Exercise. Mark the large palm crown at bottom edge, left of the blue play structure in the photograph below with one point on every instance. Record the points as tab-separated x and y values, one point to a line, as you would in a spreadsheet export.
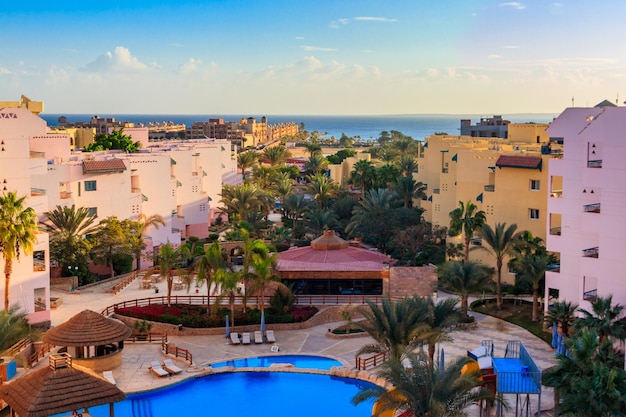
424	390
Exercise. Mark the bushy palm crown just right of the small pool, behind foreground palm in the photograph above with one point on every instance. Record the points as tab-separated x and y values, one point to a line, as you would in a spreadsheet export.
394	326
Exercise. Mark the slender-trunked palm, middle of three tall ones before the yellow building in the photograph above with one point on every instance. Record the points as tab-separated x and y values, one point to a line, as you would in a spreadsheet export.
499	242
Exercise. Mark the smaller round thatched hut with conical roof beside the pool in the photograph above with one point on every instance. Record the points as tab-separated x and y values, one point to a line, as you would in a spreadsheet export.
86	329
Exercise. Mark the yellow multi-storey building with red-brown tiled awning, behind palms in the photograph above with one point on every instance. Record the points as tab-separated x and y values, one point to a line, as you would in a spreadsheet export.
506	178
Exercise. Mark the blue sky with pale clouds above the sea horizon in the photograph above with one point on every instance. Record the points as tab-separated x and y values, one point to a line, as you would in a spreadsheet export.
305	57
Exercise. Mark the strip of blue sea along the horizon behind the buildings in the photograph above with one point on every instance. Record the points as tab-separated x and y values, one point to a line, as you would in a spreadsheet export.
366	128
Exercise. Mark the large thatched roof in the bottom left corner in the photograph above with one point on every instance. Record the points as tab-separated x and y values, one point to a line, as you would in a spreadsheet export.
58	388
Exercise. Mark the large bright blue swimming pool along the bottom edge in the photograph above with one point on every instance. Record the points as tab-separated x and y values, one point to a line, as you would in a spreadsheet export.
257	394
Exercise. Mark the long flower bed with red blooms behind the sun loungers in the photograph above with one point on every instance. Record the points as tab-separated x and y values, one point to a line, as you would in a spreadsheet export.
194	316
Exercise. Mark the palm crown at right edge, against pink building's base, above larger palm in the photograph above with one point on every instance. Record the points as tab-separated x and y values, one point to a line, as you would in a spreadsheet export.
606	319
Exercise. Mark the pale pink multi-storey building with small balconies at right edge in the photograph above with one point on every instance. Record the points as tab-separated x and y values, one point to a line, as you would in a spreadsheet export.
586	224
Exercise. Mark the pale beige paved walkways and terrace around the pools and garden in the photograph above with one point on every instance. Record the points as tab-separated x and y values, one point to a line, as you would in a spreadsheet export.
134	374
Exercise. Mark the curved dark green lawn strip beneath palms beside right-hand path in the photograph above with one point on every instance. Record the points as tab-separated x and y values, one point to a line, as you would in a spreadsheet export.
517	313
